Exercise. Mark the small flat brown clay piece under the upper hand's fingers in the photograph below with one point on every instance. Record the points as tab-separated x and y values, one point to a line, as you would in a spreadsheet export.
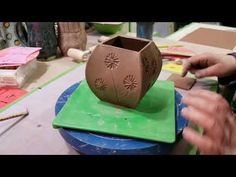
185	83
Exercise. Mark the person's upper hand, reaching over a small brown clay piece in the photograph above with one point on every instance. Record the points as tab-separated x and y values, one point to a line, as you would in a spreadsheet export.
208	64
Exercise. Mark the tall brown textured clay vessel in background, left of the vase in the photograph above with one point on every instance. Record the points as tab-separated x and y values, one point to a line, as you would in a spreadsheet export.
71	35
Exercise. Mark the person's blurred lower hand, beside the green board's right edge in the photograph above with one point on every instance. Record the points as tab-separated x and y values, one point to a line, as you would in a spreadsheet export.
213	114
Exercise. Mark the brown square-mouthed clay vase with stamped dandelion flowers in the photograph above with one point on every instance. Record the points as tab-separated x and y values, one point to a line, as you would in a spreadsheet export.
122	69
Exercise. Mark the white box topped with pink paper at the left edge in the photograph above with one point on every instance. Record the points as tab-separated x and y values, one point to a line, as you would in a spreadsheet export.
17	64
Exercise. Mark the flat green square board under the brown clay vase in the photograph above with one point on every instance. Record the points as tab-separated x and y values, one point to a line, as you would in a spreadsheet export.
153	119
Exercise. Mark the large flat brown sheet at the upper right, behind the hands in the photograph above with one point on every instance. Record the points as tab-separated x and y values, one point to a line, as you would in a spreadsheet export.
212	37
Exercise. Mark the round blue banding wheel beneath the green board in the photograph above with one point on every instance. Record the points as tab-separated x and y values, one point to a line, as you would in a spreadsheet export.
96	143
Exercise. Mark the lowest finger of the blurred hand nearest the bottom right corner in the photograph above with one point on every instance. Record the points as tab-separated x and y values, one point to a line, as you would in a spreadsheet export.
203	143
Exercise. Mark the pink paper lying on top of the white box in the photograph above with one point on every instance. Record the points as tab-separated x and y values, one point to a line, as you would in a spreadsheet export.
16	56
